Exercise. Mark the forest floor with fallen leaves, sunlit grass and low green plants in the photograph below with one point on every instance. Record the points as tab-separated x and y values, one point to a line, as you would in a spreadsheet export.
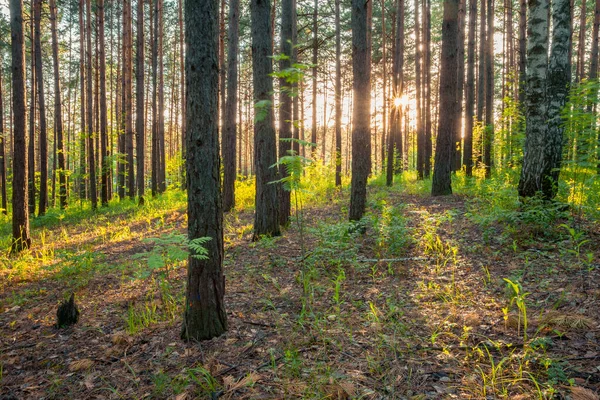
464	297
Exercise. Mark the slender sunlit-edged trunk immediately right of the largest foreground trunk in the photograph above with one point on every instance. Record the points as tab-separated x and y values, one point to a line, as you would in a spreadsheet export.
230	127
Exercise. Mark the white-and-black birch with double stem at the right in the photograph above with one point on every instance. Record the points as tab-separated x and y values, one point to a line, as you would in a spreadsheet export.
544	125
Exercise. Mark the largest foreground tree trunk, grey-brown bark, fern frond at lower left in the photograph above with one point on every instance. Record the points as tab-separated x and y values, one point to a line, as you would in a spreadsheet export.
204	316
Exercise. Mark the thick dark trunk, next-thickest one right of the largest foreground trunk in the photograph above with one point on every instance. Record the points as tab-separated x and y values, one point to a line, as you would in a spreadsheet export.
266	216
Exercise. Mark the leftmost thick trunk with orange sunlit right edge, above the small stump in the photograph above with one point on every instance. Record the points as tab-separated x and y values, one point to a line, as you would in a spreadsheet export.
20	215
